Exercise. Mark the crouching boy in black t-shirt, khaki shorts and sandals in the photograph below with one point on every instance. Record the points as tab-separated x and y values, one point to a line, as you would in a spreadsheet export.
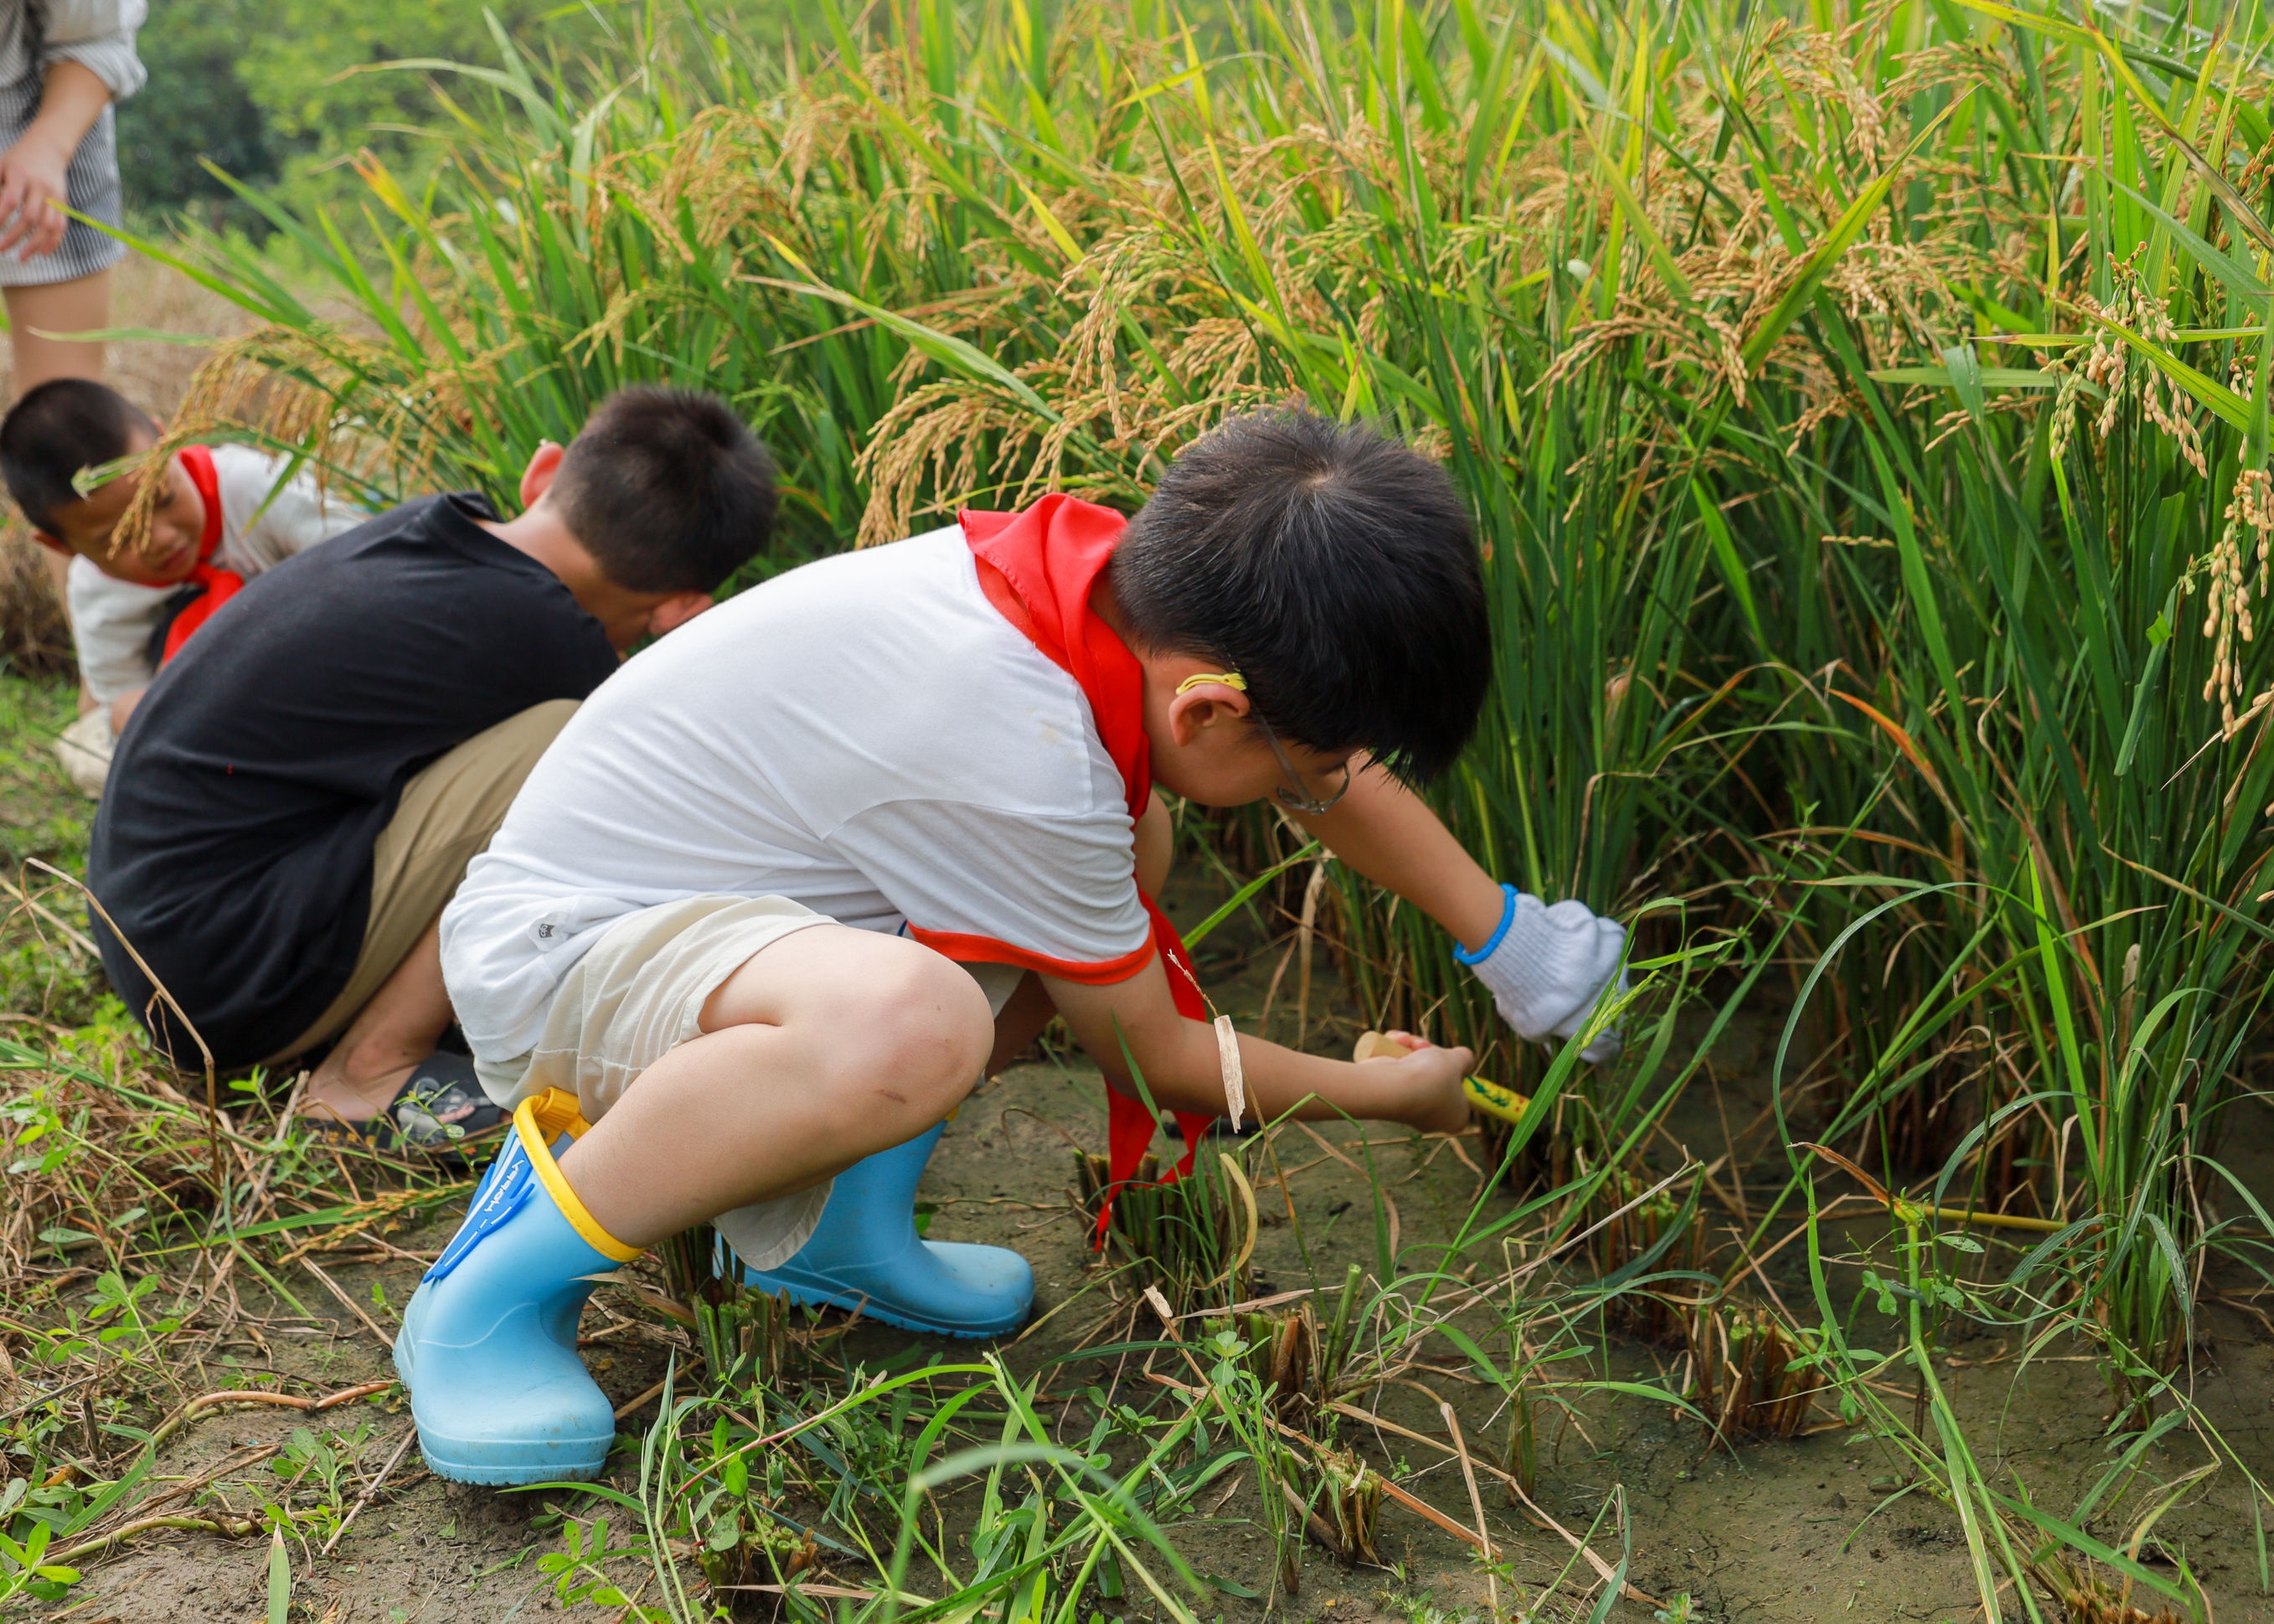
301	790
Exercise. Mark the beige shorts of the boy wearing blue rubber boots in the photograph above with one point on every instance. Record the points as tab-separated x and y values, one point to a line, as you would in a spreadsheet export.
636	997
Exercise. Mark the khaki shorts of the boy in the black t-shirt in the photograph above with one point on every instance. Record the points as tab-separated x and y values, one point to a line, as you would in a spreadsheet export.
447	818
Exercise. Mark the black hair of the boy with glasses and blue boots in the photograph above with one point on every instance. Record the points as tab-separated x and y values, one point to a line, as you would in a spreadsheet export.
1334	570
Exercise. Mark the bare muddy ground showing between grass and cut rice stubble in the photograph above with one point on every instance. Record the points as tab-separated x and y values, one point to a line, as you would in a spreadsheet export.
1759	1532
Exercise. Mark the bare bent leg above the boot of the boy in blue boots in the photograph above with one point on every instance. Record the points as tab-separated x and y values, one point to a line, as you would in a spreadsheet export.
822	1050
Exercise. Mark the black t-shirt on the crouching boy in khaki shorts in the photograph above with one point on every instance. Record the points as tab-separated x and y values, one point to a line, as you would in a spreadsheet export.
233	845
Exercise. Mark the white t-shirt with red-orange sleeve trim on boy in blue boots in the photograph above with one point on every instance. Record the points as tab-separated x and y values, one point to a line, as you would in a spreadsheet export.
865	736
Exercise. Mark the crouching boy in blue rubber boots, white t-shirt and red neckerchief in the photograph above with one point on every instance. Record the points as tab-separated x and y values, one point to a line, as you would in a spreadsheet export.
779	890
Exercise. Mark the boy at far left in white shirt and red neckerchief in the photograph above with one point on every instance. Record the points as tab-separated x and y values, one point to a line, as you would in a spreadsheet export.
222	517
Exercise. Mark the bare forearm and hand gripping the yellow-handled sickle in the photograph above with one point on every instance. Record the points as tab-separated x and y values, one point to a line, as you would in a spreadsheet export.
1181	1066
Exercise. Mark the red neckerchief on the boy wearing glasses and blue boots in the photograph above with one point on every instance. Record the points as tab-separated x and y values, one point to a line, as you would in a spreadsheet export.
1038	570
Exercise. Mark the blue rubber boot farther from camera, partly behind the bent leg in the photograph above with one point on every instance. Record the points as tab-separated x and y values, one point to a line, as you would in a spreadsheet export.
868	1257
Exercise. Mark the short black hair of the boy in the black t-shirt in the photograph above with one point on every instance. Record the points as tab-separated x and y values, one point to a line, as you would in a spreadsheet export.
667	490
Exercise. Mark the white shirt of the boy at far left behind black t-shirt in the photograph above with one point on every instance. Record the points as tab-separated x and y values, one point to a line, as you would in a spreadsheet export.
113	620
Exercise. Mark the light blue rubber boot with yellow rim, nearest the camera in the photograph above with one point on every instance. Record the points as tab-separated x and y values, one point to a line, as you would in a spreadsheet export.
488	1345
